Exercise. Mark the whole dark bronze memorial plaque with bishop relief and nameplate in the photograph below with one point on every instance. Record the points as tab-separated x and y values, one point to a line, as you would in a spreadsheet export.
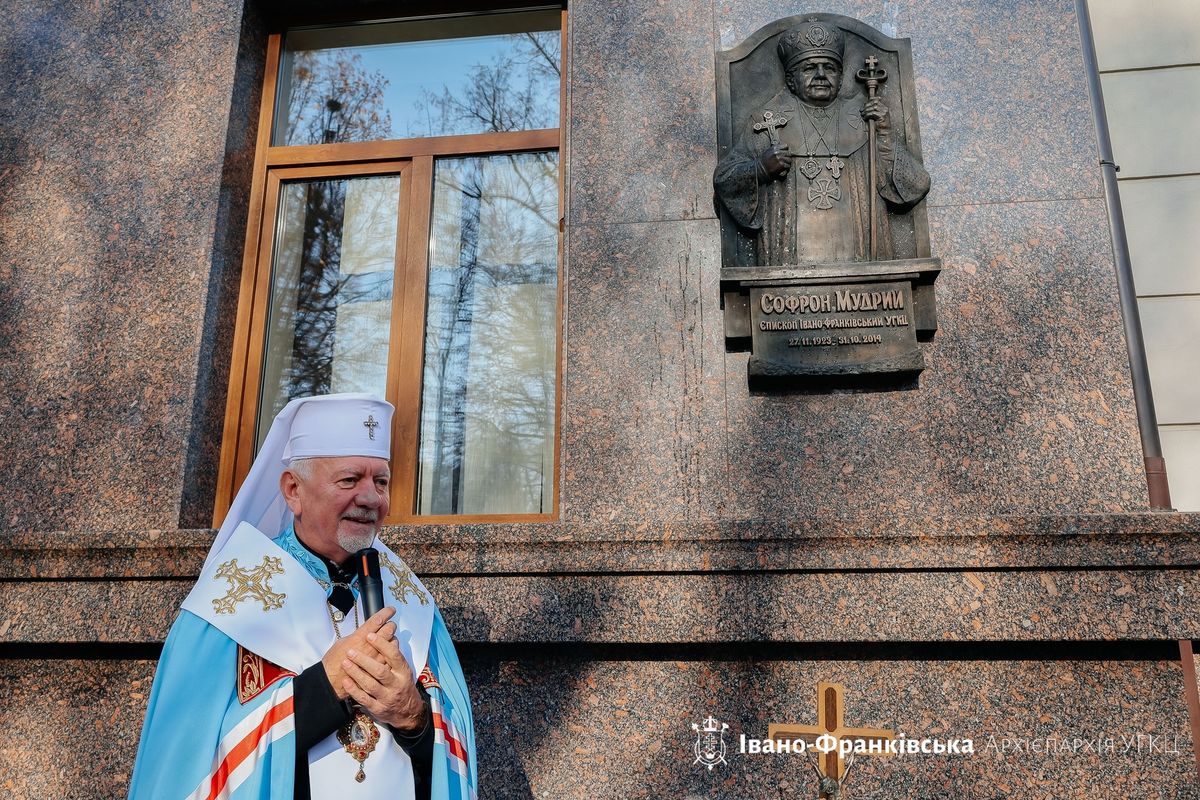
820	182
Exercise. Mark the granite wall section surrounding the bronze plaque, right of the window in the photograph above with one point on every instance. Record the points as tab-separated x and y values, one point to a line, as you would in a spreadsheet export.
1027	402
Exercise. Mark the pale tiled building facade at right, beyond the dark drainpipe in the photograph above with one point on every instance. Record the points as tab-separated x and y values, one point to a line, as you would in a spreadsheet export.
1147	58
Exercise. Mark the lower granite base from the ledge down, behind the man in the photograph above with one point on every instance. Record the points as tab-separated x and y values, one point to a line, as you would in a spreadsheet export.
590	661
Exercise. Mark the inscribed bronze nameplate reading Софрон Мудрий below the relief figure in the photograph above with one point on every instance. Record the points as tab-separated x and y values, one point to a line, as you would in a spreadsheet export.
833	330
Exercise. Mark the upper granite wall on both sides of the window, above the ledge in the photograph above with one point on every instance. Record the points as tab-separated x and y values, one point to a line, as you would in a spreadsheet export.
122	218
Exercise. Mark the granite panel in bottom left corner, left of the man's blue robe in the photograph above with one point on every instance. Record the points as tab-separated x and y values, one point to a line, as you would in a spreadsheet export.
69	730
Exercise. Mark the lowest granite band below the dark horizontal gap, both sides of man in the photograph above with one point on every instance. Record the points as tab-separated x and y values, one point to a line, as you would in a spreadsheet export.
622	730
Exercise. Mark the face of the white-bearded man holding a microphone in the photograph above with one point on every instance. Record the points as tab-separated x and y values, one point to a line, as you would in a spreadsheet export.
339	503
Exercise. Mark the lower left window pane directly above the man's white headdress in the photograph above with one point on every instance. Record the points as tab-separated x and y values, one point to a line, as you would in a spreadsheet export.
332	281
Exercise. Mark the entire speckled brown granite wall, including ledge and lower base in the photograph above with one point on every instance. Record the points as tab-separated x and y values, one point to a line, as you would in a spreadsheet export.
721	551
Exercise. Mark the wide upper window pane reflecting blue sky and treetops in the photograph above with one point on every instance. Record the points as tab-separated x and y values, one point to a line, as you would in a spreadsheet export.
419	79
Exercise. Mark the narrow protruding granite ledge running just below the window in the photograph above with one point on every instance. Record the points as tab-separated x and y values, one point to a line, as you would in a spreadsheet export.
897	544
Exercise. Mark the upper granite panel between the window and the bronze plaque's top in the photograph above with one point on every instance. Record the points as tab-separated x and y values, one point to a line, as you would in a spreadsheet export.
643	117
